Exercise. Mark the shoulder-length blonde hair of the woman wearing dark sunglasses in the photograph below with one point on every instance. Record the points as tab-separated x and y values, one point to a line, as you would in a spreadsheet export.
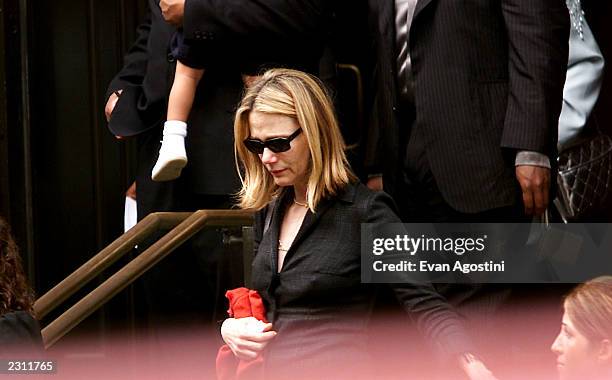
302	97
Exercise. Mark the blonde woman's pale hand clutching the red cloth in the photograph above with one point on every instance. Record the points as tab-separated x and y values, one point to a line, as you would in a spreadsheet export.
246	337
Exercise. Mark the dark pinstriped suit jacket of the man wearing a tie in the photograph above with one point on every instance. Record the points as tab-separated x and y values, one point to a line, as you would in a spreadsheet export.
488	82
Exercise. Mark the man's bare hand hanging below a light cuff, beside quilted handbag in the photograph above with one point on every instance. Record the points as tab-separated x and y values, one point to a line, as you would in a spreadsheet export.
535	182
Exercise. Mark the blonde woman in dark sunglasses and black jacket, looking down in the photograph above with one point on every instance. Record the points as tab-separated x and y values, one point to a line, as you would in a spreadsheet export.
307	239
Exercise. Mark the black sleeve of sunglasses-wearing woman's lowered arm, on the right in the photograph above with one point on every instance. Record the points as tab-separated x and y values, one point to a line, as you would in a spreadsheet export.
434	316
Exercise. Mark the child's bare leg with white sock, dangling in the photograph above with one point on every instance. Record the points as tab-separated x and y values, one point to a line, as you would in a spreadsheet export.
172	155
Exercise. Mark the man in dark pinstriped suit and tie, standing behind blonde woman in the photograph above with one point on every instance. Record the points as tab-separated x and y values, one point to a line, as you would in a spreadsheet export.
467	104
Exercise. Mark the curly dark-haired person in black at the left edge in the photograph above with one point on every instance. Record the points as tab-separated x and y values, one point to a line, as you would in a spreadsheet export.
19	329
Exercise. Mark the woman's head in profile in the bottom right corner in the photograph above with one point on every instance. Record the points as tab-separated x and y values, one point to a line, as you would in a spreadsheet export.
584	344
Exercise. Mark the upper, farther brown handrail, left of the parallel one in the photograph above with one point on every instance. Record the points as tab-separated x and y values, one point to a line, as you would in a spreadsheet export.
105	258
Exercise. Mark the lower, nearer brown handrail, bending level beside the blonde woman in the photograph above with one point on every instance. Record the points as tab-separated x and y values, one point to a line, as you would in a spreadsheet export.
139	265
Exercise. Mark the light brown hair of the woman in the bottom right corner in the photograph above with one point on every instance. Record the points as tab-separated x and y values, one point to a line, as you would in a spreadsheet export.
589	307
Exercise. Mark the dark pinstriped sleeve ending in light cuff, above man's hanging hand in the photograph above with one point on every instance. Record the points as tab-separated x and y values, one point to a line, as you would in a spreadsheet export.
538	34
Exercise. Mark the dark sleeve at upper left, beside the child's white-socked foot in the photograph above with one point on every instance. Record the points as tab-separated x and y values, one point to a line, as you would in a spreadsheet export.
135	61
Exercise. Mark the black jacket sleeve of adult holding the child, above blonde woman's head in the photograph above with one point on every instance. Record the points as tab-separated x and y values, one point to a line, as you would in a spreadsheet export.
258	34
